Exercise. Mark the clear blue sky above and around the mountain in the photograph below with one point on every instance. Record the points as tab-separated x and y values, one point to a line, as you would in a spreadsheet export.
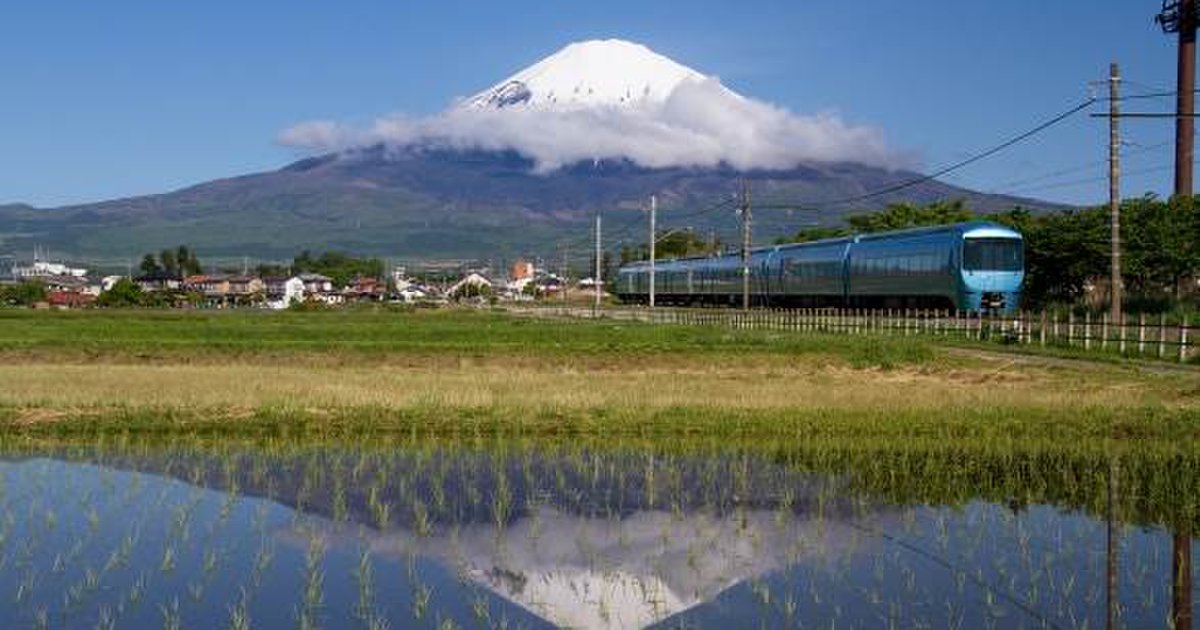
104	100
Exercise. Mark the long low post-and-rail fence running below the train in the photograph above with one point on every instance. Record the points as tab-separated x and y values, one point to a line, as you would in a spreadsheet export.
1137	337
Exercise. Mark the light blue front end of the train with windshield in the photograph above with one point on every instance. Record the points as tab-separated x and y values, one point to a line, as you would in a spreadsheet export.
992	268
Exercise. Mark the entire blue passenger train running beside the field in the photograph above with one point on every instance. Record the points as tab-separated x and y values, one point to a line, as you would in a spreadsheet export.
970	267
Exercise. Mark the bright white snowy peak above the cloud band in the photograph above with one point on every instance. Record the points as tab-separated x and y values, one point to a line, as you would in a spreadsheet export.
586	75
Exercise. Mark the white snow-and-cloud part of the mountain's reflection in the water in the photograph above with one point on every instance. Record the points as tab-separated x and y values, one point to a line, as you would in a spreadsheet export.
632	572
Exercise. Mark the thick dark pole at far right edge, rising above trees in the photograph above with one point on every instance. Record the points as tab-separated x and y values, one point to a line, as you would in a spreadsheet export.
1180	16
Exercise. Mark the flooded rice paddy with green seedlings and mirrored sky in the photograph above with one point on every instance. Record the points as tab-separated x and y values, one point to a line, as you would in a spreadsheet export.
537	535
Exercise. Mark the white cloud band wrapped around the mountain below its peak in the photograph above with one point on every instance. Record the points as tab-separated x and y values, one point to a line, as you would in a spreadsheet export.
701	124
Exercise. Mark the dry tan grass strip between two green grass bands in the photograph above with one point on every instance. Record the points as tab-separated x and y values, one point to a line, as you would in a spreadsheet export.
483	383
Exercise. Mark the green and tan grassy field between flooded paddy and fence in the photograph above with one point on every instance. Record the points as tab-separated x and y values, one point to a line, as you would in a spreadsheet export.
473	374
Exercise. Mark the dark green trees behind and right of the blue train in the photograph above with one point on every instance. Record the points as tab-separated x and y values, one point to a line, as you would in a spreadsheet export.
1069	250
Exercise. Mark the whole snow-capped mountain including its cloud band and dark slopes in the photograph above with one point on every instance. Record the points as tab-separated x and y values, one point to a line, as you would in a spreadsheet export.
517	170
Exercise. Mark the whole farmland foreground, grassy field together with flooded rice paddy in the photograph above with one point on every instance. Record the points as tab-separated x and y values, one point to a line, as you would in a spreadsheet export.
470	470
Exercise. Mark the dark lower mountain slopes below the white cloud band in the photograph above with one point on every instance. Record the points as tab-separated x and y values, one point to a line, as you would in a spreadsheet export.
419	203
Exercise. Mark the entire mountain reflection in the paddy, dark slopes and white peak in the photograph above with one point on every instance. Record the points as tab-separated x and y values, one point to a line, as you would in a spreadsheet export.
620	545
